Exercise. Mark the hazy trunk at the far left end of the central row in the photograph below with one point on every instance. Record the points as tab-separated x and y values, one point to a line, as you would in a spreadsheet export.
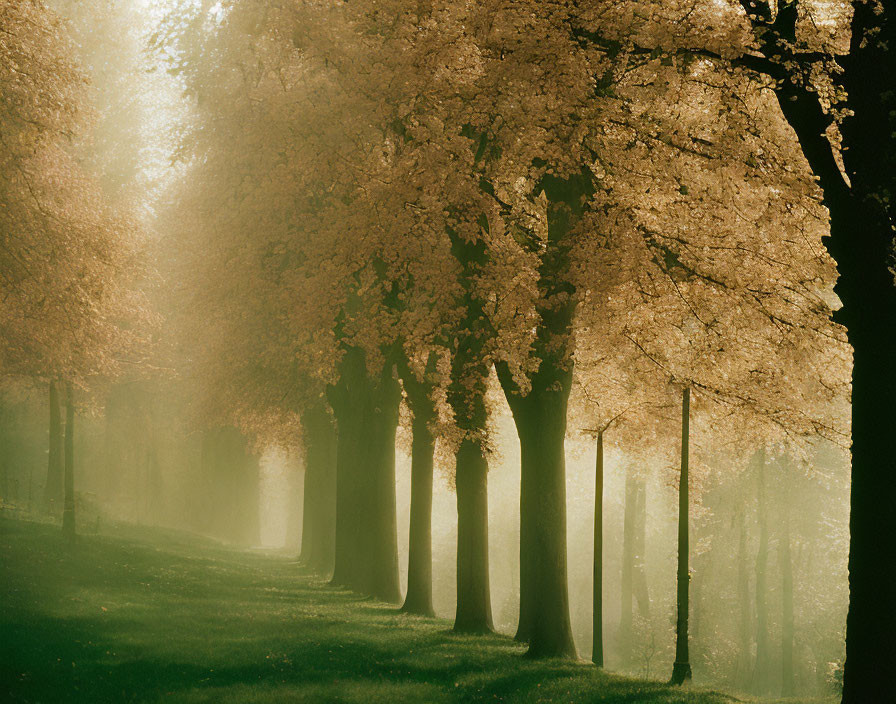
319	495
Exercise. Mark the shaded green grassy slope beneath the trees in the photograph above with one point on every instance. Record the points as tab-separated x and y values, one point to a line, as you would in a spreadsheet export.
150	615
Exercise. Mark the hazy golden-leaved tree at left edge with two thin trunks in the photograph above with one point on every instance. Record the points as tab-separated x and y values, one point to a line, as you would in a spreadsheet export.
69	257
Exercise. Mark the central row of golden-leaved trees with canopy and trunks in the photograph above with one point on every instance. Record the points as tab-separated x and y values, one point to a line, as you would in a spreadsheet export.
503	188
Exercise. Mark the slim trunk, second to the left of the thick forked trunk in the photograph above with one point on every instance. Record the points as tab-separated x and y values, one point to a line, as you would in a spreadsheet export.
418	599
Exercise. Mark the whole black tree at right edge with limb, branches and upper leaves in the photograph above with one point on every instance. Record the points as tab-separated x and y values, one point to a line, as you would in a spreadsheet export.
810	67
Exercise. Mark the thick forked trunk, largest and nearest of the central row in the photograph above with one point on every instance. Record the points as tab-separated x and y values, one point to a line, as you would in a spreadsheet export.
540	417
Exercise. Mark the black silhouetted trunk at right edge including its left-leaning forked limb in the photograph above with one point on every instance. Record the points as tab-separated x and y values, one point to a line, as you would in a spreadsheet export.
863	221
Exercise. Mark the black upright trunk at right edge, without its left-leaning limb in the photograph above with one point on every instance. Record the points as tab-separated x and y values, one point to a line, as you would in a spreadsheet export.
864	251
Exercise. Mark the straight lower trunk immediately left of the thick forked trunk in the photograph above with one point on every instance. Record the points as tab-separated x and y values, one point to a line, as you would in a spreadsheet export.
474	608
